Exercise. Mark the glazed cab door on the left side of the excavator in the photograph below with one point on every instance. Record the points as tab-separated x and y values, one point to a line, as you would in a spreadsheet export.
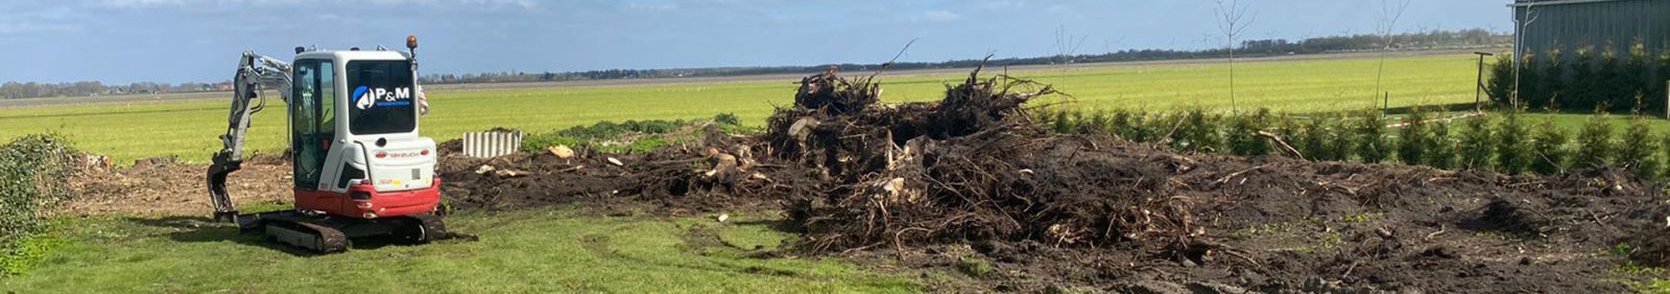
313	119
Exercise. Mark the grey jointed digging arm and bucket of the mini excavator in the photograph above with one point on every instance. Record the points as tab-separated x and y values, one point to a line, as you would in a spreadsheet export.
255	73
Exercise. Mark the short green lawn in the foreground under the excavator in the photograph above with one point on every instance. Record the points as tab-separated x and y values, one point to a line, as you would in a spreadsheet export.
532	251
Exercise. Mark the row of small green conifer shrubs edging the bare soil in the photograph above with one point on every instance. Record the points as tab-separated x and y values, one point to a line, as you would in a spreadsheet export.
1502	143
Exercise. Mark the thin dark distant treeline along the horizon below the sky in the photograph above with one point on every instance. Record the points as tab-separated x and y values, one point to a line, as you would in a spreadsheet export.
1437	39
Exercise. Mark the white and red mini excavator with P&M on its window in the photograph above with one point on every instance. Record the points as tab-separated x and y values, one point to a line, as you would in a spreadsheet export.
360	166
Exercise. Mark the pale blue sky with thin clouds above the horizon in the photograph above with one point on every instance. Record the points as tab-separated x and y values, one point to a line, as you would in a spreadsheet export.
200	41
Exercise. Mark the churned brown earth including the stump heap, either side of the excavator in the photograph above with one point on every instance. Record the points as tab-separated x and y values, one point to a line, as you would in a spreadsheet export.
968	183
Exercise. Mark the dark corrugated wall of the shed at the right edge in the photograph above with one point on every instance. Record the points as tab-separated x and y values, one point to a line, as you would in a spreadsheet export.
1596	24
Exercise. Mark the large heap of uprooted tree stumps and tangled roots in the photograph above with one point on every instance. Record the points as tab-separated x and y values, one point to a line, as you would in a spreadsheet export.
969	168
